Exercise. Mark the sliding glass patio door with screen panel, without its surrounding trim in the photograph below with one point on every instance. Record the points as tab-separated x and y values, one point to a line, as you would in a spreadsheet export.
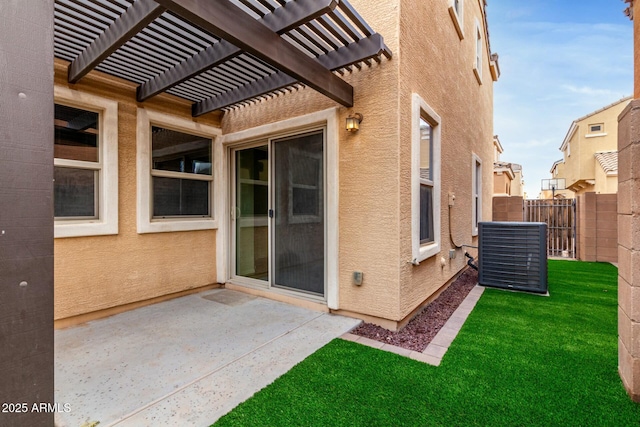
279	215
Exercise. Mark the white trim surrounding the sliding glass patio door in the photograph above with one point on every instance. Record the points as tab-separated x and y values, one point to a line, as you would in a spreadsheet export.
329	118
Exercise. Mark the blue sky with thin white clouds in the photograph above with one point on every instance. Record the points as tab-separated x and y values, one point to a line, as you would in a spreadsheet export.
559	60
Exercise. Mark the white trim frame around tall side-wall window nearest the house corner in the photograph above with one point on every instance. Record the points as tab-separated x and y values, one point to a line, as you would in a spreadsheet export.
420	109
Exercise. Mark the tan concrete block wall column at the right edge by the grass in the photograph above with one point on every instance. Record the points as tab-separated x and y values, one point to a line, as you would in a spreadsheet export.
629	248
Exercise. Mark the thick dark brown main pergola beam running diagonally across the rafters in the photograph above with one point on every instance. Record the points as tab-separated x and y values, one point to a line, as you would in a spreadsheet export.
232	24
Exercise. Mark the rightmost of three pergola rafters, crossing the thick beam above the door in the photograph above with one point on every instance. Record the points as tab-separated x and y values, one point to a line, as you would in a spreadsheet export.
358	51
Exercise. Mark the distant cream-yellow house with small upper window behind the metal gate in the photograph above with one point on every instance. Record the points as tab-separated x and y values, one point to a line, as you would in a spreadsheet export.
590	151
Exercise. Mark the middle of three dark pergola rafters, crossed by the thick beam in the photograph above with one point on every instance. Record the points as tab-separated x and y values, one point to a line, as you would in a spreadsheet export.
285	18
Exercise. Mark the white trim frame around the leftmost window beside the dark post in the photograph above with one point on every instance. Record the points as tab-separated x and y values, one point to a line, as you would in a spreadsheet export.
106	222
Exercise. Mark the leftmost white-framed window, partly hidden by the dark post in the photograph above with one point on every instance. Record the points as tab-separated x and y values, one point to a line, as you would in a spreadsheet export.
85	164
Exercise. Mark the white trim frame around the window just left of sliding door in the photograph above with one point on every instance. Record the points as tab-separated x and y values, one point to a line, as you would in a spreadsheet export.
146	119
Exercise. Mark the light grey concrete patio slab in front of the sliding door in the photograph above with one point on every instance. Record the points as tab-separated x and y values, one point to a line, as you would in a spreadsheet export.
187	361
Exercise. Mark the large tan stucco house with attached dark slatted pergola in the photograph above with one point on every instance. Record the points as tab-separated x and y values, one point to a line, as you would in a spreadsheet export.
172	176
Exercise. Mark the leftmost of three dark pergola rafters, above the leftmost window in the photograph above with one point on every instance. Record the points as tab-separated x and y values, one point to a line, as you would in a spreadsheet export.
138	16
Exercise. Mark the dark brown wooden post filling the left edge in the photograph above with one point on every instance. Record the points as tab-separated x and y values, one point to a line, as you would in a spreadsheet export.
26	212
